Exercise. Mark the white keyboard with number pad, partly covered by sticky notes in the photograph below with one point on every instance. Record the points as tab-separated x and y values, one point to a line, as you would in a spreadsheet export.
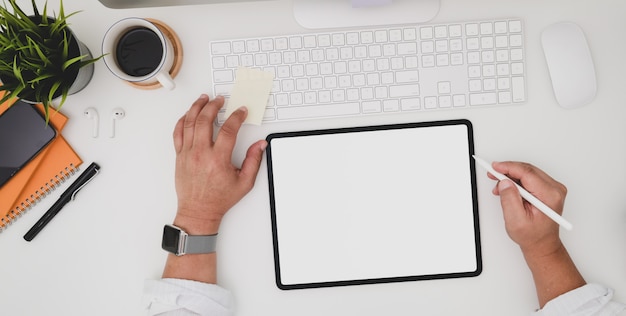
381	70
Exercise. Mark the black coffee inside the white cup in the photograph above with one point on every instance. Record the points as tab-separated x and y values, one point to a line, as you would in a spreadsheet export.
139	52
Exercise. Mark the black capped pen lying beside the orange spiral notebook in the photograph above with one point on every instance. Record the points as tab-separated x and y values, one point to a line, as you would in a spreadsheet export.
68	195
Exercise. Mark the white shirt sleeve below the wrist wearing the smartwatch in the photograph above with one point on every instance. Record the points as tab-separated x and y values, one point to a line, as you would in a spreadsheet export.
175	297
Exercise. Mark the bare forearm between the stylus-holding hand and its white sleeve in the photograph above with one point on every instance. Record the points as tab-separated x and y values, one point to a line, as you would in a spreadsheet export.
554	273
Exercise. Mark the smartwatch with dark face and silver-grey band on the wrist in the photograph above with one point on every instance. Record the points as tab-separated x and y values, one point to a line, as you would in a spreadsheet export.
178	242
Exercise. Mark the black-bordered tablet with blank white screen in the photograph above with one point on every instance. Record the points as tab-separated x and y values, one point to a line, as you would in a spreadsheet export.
373	204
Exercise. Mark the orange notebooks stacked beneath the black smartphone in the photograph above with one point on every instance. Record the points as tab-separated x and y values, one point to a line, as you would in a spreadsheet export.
41	175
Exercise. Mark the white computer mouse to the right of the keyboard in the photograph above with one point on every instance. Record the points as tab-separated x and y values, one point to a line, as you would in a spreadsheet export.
570	64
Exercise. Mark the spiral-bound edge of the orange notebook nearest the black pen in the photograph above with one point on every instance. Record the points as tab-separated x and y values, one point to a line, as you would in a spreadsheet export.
34	198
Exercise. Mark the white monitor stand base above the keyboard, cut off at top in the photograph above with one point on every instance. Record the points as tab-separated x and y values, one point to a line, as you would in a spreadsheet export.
317	14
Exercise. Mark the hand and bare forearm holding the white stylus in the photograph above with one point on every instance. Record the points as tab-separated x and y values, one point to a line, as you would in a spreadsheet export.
553	270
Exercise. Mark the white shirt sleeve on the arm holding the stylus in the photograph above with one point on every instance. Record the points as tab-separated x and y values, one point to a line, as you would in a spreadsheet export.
590	299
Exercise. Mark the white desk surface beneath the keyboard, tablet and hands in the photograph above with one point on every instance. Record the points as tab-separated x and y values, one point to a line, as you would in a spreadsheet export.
95	255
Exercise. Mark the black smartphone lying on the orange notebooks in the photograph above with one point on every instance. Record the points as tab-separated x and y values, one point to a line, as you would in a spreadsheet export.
23	134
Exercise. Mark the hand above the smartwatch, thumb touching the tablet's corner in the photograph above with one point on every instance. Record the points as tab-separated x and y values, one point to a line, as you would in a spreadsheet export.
207	183
